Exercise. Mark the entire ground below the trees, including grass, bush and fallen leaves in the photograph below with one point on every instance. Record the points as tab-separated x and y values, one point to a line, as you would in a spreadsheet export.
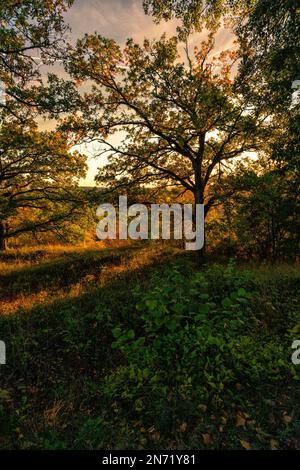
136	347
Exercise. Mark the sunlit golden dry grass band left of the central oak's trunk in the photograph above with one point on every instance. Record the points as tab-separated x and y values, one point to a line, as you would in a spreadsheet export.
24	272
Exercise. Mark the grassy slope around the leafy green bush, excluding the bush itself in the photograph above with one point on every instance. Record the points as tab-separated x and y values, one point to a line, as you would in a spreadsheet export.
57	310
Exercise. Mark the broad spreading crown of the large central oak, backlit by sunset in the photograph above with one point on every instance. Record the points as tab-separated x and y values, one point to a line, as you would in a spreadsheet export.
185	121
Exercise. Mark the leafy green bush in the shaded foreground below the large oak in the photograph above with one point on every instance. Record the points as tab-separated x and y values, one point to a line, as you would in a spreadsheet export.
198	337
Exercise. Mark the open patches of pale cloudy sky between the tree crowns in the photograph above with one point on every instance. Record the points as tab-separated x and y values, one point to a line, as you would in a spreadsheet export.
119	20
